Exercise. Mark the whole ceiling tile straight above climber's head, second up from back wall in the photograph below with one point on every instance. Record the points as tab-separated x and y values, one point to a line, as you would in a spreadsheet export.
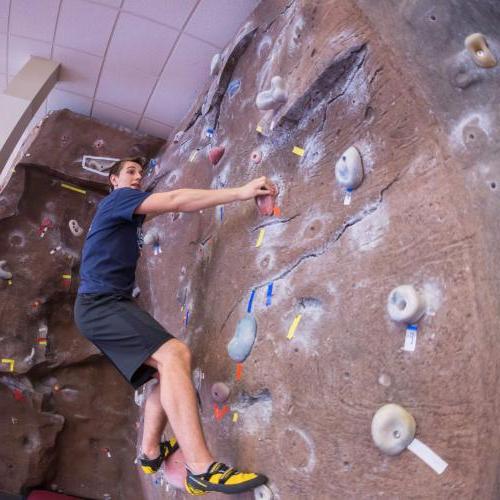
126	89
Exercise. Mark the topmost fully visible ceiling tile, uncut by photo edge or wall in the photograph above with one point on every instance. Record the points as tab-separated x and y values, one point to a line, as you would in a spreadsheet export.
140	44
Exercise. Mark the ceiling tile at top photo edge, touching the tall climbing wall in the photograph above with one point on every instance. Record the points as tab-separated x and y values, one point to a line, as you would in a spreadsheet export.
219	25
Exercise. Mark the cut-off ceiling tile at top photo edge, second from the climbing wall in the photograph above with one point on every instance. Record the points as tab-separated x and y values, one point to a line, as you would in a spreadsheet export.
171	12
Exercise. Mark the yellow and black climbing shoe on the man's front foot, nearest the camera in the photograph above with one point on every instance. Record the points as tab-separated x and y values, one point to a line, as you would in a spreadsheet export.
223	479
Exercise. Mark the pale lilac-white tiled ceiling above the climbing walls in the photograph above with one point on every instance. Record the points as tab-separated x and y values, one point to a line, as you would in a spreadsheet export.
134	63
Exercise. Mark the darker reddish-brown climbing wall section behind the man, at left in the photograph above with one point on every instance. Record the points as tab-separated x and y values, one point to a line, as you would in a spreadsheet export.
66	419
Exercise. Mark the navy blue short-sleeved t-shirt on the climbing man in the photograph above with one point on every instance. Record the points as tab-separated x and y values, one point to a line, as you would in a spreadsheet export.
113	243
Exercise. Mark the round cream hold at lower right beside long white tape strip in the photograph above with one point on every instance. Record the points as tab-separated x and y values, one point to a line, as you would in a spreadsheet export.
393	429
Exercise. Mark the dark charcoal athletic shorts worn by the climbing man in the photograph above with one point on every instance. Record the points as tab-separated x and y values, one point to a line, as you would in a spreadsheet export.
122	331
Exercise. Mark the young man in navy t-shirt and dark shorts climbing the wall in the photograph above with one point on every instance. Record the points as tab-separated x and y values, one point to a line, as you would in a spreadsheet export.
138	346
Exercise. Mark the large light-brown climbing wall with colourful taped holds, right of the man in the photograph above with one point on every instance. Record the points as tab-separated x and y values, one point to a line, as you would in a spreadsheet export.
372	283
